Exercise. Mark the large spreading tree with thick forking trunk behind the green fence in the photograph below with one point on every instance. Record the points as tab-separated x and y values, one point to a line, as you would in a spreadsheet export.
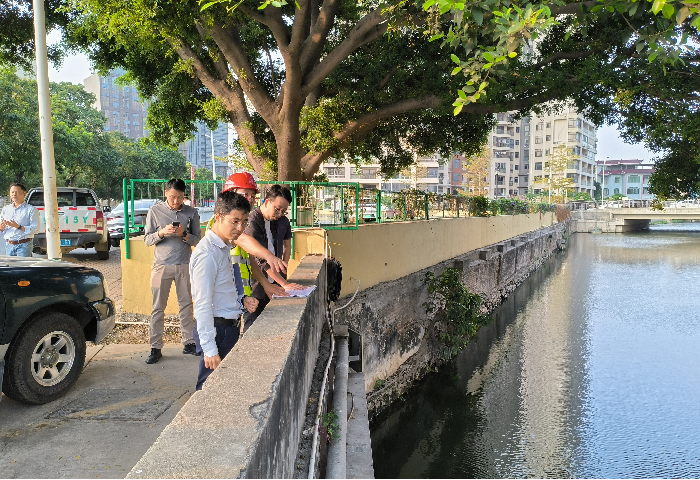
310	80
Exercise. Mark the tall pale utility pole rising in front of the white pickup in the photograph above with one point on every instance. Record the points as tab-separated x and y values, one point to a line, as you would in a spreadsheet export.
48	163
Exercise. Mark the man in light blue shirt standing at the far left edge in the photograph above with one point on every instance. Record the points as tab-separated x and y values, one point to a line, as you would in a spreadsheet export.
19	222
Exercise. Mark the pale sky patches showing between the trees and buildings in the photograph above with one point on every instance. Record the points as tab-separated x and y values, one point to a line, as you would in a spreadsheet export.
77	68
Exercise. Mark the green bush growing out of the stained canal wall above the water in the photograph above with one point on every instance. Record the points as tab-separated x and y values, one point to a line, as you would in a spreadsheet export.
458	310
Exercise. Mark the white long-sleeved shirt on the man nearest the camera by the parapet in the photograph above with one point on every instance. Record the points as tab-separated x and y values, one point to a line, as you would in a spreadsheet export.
214	290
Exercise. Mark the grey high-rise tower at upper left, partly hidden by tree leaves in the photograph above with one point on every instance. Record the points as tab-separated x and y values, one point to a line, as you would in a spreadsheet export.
124	109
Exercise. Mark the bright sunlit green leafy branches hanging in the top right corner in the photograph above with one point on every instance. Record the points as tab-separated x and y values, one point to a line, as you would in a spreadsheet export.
511	28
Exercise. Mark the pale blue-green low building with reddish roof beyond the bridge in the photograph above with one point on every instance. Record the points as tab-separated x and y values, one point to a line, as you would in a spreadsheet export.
626	177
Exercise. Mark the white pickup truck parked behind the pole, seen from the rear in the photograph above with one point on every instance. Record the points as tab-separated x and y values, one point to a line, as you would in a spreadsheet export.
80	219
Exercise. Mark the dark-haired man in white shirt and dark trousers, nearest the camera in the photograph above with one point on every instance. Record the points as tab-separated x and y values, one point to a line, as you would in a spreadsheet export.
218	303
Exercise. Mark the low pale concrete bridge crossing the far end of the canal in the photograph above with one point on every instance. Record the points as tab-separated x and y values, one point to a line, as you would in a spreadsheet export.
621	220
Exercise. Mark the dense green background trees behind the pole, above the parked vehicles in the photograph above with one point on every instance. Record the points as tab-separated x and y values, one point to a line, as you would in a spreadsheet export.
86	155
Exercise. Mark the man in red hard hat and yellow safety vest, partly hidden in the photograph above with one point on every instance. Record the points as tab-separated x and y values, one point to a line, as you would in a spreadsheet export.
244	184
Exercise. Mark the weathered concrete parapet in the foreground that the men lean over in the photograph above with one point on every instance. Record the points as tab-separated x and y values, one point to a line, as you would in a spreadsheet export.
248	419
